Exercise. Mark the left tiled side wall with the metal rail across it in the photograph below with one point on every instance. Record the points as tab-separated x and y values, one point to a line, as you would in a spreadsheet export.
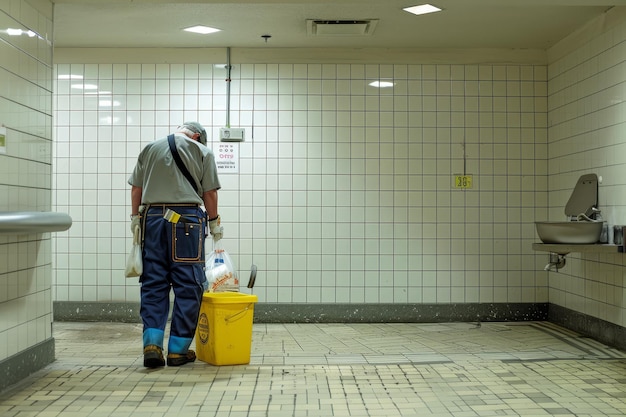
25	183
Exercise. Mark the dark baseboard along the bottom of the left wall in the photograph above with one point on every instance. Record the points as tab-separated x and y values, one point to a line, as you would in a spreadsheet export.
19	366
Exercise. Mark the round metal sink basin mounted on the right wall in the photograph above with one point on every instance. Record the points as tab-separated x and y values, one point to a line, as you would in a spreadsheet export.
569	232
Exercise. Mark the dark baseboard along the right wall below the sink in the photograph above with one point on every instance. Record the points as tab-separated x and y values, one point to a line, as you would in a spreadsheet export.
603	331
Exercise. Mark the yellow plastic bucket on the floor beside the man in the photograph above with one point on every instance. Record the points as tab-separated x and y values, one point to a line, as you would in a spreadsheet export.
224	332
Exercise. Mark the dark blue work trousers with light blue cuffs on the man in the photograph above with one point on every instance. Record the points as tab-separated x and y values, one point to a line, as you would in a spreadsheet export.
173	258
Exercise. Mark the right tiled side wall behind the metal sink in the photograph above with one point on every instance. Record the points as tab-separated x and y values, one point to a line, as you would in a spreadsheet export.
587	134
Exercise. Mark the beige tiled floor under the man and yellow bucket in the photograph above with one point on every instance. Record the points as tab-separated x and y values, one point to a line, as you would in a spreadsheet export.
457	369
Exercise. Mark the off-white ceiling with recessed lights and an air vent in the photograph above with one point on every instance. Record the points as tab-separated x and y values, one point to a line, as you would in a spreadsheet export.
516	24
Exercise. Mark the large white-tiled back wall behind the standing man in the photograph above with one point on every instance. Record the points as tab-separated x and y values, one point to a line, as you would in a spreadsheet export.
345	192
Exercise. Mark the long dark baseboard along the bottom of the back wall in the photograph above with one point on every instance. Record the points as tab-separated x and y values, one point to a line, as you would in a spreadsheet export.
327	313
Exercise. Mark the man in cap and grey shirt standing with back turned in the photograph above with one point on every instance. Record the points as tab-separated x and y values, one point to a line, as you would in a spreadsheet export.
173	178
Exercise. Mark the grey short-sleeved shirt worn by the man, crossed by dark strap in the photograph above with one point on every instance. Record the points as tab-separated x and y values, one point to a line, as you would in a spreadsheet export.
161	181
